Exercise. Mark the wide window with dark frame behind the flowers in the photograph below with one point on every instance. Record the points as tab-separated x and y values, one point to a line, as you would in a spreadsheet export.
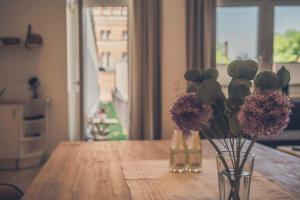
266	31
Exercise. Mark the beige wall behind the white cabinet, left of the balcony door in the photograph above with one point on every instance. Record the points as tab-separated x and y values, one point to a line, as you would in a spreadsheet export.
49	63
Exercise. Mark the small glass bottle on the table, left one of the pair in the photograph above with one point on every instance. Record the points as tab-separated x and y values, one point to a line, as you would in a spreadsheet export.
177	153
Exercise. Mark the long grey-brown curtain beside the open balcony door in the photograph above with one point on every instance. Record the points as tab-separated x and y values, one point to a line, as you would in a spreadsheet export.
145	73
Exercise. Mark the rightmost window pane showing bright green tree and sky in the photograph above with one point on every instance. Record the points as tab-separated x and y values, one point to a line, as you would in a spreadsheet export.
286	34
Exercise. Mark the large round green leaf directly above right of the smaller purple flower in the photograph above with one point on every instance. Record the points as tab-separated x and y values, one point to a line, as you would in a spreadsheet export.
208	91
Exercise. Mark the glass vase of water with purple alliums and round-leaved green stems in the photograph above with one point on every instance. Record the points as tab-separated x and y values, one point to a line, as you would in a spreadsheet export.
239	119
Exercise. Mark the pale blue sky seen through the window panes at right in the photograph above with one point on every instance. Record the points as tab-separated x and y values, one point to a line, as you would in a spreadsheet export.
239	26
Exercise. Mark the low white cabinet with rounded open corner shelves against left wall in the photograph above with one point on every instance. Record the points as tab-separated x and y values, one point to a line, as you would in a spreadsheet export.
23	133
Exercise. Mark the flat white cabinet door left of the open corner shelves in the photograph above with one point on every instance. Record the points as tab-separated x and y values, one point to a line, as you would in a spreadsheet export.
9	132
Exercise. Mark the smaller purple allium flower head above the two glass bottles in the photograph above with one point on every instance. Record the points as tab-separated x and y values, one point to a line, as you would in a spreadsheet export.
189	114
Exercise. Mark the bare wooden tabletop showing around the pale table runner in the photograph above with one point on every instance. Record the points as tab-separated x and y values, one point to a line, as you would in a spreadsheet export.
92	170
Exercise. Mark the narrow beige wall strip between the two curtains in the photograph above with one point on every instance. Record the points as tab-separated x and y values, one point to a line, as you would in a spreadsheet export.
173	59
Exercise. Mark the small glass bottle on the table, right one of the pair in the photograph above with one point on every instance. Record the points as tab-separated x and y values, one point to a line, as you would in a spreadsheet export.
194	152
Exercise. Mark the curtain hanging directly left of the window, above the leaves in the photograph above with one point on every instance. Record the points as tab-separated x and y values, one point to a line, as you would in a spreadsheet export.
201	33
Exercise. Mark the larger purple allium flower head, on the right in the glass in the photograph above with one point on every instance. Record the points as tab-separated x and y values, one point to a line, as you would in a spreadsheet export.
264	114
